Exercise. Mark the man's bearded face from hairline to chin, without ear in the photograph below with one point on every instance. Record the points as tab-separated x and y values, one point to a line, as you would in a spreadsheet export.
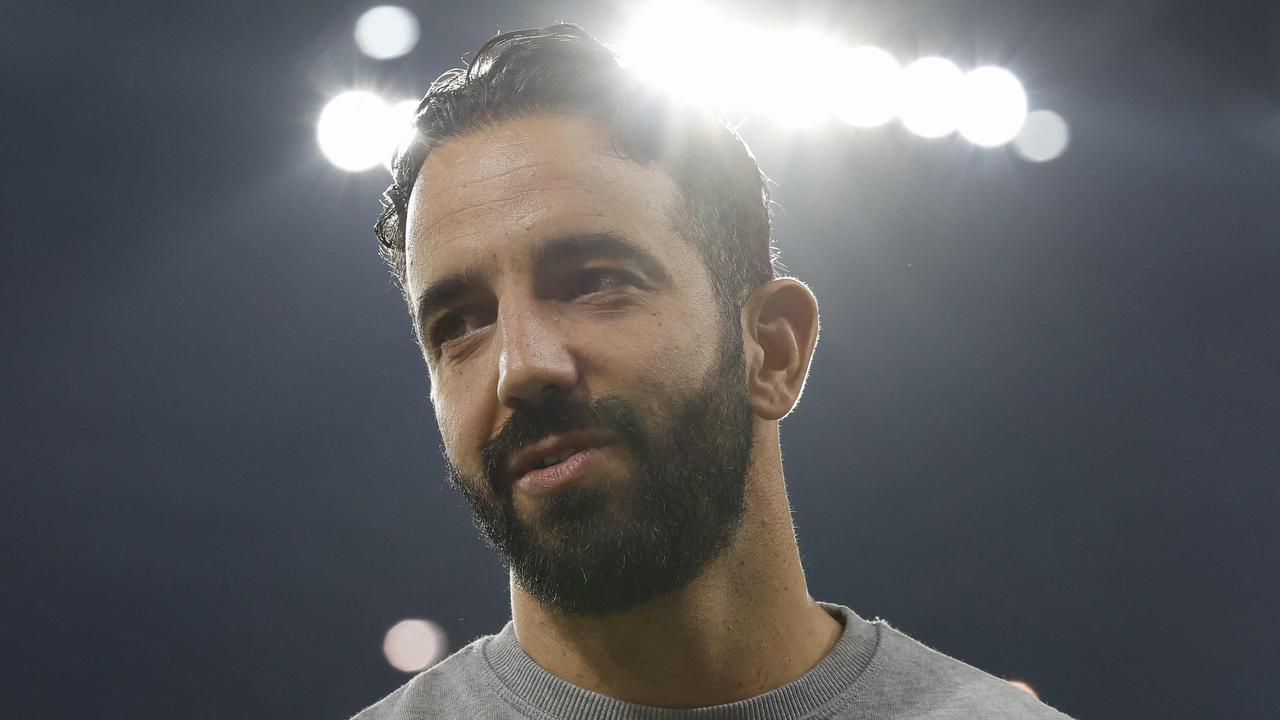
565	315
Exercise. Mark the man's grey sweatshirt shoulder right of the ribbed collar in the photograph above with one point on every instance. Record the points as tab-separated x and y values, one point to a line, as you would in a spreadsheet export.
921	682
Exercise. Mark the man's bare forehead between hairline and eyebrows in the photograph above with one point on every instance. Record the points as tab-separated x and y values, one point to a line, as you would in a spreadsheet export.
482	197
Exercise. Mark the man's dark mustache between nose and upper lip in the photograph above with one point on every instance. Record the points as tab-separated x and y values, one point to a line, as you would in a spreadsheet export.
559	413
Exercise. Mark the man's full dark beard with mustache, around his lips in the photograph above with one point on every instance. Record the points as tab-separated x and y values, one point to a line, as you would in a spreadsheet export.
682	511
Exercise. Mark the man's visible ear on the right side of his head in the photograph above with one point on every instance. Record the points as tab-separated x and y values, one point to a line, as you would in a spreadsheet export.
780	330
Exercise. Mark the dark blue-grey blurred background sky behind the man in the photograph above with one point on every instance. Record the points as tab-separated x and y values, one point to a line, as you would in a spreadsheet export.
1040	434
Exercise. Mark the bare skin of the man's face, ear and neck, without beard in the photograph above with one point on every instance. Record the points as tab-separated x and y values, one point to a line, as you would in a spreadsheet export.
747	625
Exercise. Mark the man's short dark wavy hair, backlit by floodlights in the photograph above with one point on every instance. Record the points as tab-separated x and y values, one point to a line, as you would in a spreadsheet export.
563	69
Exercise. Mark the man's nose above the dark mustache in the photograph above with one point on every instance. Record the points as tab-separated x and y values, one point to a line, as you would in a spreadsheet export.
536	358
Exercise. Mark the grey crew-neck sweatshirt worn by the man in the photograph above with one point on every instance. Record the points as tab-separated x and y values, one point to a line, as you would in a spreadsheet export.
875	672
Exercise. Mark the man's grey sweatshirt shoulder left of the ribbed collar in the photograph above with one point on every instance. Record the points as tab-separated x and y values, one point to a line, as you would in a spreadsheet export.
454	686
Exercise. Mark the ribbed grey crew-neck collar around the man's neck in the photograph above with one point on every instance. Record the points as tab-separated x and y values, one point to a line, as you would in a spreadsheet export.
840	669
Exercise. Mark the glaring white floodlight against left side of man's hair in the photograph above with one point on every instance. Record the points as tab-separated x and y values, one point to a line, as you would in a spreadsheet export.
359	131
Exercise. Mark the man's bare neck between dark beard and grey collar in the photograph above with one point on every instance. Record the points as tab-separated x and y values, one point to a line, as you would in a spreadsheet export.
744	627
